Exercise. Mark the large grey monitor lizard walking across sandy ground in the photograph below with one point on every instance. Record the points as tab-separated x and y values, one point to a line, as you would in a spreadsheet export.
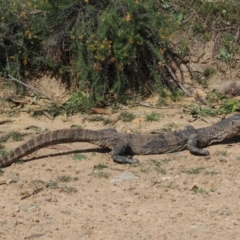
124	145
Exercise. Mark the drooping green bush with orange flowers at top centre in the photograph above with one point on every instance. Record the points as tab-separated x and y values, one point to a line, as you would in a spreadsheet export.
116	46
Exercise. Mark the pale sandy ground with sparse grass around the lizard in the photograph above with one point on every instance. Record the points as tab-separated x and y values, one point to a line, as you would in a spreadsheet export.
169	196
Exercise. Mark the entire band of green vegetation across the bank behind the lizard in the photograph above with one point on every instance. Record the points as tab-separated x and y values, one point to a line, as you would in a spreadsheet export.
113	50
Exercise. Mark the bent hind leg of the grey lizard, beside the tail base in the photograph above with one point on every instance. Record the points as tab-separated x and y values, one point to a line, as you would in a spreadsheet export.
117	154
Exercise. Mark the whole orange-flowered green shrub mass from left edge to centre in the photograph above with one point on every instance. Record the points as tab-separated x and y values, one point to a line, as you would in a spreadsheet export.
101	47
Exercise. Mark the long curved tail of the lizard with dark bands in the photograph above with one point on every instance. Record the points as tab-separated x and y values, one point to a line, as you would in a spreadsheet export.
50	138
